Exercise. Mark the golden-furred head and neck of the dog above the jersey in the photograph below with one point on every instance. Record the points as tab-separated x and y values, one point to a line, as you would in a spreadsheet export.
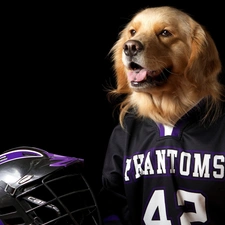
165	38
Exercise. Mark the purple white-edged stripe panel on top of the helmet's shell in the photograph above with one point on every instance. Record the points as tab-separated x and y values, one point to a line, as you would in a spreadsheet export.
18	154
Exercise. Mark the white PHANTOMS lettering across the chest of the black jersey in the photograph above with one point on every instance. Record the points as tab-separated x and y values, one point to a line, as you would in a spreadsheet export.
171	161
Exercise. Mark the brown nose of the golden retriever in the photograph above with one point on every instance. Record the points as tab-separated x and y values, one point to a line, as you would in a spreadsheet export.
132	47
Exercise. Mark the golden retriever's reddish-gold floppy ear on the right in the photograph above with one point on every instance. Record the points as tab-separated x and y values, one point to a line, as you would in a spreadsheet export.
204	61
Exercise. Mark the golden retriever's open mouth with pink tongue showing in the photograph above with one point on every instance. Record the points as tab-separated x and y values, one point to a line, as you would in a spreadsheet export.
140	77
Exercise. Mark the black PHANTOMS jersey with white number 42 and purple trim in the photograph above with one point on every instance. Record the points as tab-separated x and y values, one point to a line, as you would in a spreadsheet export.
160	175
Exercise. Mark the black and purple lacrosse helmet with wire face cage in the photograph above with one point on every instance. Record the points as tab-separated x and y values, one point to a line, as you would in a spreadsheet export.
38	187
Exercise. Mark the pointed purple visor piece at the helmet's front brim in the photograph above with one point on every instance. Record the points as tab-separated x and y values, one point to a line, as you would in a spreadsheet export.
60	160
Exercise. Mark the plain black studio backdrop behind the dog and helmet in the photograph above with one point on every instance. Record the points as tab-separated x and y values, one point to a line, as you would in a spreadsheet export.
55	69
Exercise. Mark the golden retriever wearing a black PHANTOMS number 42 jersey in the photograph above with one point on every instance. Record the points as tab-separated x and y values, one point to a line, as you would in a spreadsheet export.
165	158
